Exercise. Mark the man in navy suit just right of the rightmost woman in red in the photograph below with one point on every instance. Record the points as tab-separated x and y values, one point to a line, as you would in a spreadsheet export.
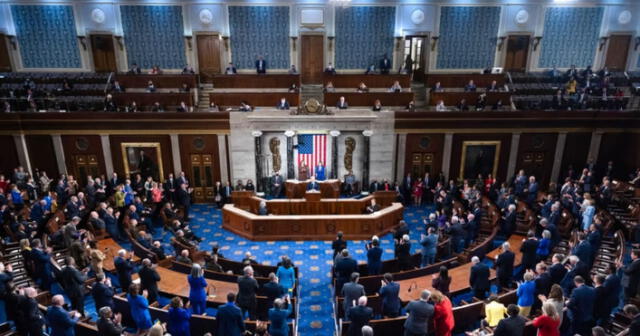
581	305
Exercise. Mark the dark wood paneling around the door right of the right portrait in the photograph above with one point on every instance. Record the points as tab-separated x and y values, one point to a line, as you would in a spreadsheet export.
536	152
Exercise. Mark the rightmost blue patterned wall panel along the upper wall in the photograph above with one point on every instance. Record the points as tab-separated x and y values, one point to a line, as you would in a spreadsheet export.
570	36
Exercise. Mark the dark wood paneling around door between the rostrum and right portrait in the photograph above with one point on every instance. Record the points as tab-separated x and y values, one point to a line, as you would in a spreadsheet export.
421	144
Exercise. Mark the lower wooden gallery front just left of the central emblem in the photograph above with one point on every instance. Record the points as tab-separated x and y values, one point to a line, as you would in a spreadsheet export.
270	99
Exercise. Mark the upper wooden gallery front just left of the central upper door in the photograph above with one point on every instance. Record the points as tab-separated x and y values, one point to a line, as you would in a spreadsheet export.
255	81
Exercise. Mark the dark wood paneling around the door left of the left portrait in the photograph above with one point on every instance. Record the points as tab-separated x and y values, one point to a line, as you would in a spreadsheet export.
76	146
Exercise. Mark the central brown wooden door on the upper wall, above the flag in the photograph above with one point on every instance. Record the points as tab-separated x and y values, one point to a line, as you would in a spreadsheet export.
312	58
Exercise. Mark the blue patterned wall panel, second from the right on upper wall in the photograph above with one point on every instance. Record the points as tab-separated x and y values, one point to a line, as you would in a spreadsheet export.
467	37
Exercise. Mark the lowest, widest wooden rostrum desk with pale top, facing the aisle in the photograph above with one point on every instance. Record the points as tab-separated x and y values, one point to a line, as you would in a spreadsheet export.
309	227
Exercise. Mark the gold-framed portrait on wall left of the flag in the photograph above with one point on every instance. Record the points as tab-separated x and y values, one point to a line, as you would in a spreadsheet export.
144	158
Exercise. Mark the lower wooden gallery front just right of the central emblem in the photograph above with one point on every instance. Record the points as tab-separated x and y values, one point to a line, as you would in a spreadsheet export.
368	98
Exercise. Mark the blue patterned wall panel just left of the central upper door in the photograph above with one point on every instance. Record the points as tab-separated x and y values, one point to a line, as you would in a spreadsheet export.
259	30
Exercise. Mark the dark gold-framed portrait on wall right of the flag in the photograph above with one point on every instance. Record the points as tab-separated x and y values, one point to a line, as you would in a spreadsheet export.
479	157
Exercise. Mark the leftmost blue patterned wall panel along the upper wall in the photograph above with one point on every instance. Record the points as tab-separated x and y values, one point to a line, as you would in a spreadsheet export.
47	36
